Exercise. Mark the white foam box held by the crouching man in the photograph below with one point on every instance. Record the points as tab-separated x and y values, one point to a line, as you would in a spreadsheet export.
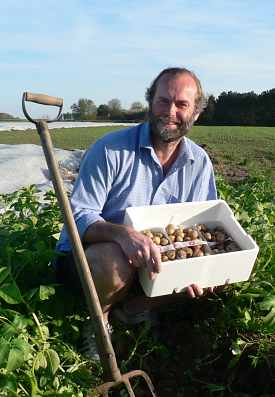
207	271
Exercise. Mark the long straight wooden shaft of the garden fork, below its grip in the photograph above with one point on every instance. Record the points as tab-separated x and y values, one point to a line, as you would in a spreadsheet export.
106	351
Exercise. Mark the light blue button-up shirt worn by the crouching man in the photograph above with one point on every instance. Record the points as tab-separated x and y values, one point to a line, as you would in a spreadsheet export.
122	170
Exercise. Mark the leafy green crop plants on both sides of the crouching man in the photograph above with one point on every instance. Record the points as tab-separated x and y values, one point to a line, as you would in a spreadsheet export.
39	333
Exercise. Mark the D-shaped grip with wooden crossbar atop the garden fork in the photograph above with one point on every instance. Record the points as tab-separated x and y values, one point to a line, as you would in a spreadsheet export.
42	99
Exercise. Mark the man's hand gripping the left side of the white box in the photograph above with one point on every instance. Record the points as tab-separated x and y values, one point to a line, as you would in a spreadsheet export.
140	250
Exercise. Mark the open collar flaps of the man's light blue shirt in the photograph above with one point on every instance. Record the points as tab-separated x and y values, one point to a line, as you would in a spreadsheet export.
145	142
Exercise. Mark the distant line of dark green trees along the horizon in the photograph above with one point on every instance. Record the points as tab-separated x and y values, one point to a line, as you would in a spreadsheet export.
229	108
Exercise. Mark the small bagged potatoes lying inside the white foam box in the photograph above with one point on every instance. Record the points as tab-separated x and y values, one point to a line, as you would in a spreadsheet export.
177	242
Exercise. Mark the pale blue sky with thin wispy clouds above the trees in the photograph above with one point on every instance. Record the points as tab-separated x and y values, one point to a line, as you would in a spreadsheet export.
113	49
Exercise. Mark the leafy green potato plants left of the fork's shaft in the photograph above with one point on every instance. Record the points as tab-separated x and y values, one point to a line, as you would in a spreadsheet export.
37	354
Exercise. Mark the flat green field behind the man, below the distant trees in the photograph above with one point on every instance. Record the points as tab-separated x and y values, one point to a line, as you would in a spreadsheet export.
234	150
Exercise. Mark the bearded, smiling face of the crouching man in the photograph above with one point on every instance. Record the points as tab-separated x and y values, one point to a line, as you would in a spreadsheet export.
172	112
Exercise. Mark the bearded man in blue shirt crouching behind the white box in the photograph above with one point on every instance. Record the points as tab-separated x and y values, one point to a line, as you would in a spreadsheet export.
151	163
